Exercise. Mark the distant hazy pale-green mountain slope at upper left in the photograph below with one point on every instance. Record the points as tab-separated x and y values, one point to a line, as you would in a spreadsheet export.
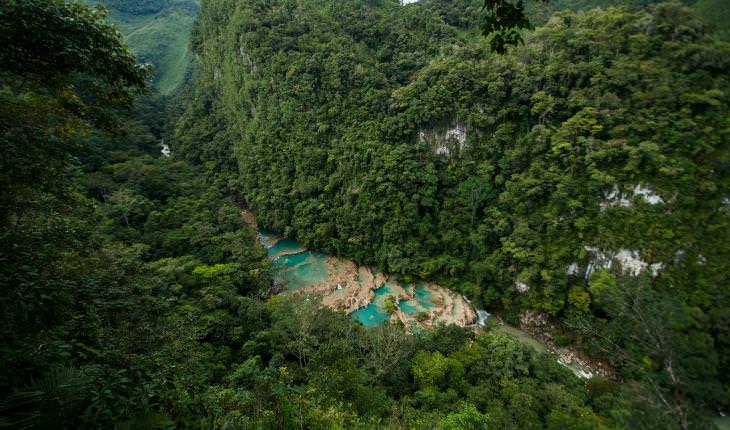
158	32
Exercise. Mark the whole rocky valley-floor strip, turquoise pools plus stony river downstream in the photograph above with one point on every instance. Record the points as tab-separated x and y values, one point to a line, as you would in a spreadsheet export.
372	297
